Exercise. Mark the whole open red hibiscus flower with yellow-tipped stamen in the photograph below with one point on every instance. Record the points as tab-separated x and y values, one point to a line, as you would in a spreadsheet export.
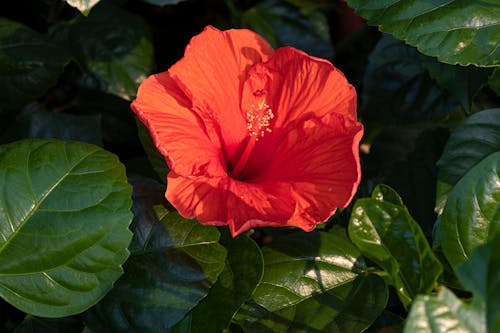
253	136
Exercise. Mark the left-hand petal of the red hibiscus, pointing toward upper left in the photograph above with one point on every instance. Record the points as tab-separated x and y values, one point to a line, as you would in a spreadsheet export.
177	132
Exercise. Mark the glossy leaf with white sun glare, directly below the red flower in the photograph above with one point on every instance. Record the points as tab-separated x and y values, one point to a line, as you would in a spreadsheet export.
298	265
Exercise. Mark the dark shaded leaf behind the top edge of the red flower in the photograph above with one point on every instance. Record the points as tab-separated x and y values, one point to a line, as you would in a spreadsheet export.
283	24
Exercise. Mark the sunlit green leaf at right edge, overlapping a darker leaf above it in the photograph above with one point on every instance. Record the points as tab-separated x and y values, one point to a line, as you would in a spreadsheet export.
471	215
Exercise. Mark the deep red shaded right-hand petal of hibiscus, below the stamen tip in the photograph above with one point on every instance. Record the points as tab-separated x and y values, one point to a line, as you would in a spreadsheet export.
319	157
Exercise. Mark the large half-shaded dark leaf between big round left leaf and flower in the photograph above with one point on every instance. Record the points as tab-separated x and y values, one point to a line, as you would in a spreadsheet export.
173	264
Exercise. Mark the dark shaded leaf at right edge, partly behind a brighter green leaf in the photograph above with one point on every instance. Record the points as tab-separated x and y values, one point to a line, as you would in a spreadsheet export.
473	140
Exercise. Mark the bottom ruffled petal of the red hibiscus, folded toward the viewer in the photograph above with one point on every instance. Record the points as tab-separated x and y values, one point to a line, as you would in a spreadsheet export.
225	201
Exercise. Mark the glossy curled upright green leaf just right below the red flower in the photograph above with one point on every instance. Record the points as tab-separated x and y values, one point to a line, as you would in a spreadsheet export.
384	231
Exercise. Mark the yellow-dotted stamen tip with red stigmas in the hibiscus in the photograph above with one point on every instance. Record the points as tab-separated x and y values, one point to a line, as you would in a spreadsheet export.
259	115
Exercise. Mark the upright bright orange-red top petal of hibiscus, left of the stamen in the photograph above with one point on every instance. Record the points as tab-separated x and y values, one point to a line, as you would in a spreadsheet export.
211	74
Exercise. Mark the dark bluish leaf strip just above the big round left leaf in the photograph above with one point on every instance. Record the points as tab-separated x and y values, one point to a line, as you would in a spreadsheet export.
46	125
